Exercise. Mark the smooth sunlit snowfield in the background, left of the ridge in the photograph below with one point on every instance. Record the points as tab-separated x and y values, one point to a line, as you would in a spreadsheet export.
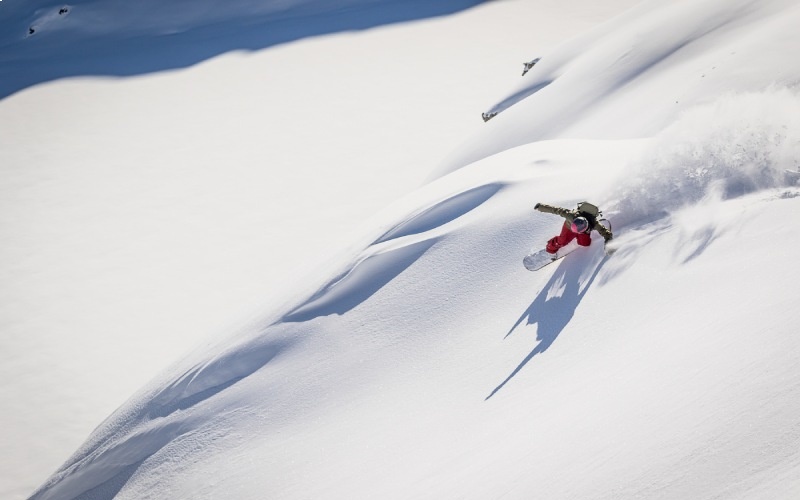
141	215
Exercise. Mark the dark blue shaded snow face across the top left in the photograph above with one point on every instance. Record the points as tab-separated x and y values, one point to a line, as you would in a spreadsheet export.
41	40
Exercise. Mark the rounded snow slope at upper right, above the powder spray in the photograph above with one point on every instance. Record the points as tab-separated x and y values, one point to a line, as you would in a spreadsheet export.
646	68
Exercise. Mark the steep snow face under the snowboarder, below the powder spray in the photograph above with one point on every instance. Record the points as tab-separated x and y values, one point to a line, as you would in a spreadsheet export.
435	366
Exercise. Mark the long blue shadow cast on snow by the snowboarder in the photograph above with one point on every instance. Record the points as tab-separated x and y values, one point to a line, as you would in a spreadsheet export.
555	305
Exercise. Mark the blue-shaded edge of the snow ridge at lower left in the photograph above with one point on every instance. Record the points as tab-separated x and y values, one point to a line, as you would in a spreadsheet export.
120	446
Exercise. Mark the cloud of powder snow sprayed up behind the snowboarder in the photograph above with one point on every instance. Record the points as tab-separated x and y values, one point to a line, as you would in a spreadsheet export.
736	145
